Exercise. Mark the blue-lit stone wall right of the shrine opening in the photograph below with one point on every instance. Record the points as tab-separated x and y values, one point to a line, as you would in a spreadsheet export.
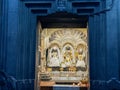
104	32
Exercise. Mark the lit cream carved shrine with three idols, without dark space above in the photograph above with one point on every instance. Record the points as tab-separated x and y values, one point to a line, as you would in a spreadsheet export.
62	58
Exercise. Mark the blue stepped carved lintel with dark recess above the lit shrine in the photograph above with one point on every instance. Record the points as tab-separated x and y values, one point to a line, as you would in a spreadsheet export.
63	11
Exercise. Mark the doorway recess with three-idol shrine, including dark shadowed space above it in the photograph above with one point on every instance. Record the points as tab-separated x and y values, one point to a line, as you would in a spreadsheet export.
63	50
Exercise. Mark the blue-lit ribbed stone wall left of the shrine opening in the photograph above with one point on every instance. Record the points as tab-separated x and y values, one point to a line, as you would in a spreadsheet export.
18	42
